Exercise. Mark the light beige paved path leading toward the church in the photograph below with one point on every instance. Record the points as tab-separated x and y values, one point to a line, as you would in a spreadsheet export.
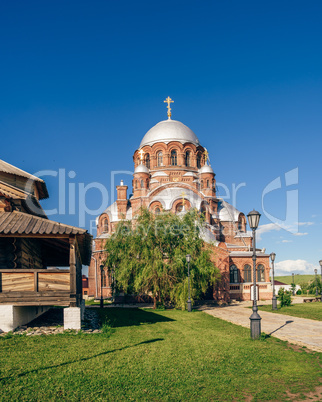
300	331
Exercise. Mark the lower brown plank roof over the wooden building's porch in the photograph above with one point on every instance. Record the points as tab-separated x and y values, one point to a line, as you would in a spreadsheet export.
20	224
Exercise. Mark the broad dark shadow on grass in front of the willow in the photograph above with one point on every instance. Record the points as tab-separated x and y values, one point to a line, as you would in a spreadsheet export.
126	317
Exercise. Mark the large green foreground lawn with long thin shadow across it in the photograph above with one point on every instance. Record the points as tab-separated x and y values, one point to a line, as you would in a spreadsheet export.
156	356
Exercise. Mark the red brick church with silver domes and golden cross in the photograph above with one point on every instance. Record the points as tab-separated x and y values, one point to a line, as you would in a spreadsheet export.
172	173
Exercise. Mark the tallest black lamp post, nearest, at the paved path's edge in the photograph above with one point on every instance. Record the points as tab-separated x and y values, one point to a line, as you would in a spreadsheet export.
255	319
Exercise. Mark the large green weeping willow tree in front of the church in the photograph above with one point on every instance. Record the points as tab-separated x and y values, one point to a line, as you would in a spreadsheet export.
149	257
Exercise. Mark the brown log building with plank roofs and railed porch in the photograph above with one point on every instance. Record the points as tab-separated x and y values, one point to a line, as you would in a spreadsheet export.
40	260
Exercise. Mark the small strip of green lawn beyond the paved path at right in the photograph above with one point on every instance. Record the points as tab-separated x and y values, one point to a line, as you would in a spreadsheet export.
312	311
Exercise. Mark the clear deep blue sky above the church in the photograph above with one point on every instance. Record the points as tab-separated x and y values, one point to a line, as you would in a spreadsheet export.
81	83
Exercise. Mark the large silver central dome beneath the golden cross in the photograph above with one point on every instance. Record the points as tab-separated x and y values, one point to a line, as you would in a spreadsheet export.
167	131
